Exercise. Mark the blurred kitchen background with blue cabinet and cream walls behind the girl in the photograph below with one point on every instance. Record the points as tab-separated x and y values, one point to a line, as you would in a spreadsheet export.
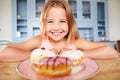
97	20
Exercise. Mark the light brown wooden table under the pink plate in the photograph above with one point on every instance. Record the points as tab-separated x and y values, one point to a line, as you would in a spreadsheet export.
109	70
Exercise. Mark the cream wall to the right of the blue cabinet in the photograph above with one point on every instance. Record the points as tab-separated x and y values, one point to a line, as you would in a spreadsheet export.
114	19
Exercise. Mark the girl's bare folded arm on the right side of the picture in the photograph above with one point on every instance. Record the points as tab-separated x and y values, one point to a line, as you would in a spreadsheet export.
97	50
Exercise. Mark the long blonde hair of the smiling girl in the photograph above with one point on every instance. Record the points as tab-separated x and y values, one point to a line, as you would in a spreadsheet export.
73	32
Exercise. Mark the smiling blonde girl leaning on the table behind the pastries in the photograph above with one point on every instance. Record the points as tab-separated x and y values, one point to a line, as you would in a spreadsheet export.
59	33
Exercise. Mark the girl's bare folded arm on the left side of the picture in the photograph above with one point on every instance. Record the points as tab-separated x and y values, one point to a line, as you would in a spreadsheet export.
19	51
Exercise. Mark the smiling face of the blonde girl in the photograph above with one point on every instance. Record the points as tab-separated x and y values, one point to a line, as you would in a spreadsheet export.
56	23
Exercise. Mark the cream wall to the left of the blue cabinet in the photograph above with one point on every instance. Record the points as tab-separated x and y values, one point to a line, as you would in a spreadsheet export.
5	20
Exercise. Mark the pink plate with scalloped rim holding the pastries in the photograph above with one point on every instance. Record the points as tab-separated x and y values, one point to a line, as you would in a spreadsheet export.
89	70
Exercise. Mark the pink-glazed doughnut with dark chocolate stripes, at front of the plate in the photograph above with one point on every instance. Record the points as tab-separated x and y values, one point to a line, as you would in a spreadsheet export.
54	67
